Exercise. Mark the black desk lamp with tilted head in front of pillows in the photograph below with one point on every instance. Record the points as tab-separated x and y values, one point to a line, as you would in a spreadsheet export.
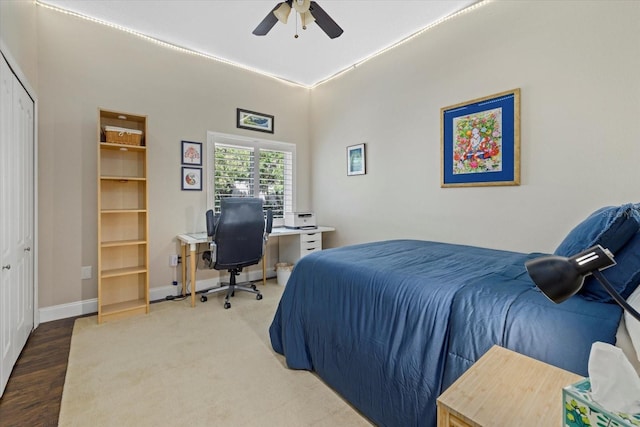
560	277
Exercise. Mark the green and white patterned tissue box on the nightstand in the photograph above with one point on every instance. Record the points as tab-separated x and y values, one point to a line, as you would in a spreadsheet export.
580	410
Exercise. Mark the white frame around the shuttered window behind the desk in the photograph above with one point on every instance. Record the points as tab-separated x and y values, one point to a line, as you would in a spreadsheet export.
214	138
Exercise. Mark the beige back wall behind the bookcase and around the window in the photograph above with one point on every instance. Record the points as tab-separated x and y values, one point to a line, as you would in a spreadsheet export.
84	66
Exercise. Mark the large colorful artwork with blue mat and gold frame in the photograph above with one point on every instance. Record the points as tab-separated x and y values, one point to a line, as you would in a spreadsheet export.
480	141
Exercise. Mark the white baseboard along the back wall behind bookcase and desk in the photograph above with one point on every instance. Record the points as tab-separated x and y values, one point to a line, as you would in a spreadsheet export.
90	306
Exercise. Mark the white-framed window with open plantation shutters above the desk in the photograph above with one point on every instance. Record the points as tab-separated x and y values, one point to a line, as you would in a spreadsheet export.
251	168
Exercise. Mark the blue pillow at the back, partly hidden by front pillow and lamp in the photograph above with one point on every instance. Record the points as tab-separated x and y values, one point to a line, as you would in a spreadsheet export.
611	227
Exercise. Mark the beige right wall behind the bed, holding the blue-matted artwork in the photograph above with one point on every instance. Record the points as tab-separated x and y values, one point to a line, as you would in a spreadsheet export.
576	63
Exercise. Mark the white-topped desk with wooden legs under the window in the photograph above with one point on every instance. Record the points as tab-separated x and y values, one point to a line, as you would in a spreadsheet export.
300	243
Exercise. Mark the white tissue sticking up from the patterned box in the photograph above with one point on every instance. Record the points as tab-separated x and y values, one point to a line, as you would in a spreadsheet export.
615	385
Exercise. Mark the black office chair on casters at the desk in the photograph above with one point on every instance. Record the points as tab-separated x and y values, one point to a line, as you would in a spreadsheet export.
239	236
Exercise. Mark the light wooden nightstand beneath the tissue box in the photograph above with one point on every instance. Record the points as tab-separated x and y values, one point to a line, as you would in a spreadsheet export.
504	388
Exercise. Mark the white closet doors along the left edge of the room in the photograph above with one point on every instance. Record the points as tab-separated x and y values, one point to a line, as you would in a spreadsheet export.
16	219
